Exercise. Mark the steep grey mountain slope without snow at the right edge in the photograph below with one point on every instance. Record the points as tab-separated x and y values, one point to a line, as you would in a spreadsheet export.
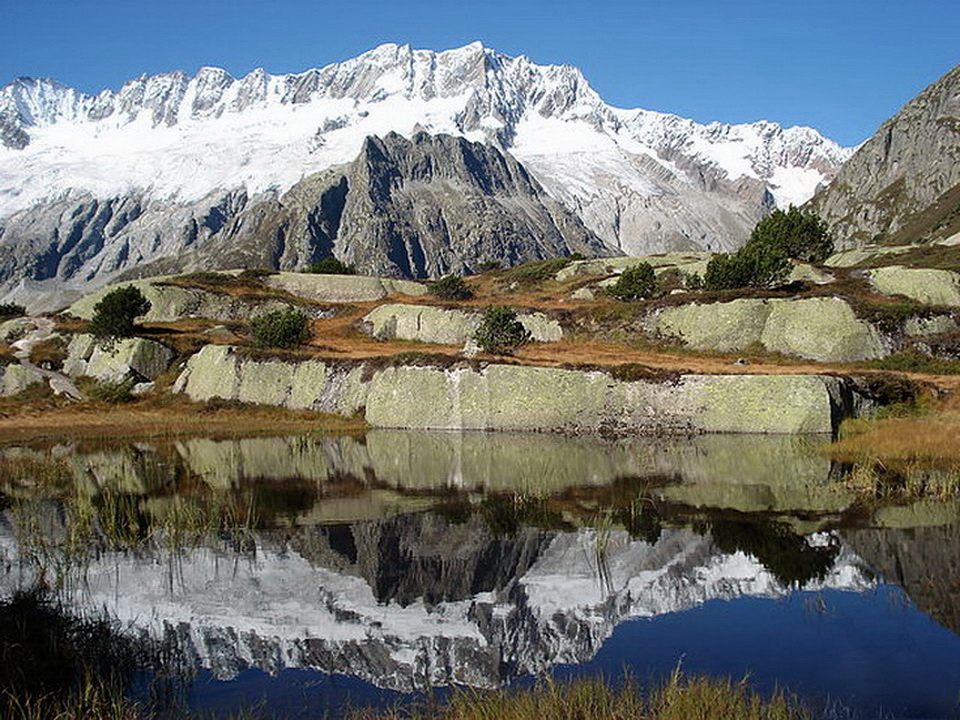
903	184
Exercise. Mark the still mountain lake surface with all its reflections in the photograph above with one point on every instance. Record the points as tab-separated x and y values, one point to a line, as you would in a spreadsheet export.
308	575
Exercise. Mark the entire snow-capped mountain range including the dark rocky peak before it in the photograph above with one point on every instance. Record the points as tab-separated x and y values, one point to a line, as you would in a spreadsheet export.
175	173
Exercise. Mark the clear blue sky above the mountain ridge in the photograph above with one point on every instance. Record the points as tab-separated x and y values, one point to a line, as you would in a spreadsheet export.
841	66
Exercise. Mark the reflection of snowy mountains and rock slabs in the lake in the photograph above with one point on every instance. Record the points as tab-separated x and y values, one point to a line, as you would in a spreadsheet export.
423	559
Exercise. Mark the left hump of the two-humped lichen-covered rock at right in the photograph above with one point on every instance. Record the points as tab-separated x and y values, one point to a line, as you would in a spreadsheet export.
714	326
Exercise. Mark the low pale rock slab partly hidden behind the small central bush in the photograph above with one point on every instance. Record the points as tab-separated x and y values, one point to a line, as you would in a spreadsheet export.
446	326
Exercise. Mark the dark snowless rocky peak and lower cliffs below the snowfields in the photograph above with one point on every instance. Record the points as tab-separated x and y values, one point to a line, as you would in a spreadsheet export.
419	208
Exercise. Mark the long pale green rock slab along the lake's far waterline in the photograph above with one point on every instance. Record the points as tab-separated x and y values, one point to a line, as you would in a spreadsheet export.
507	397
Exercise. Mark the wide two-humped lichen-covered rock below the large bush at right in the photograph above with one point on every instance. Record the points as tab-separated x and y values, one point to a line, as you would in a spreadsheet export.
821	329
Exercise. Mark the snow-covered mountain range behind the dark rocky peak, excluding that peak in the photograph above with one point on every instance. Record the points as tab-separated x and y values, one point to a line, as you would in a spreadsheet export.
94	186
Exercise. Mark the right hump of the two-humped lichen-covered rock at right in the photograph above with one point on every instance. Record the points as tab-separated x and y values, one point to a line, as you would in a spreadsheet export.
821	329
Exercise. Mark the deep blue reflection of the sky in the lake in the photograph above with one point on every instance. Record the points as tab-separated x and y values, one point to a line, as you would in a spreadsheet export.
869	654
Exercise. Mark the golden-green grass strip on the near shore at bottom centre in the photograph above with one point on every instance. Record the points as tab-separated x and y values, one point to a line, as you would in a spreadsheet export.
680	698
